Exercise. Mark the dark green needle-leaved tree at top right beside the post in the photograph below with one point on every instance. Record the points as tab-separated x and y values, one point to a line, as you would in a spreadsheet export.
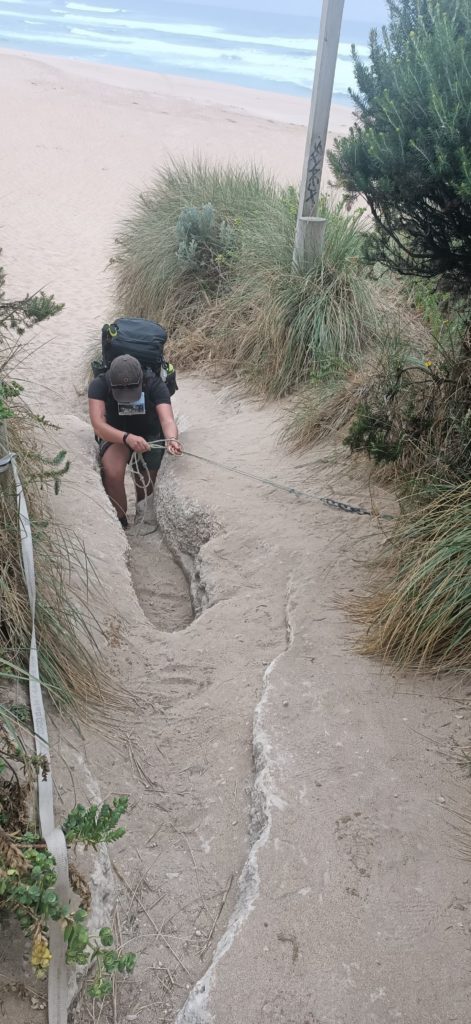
410	152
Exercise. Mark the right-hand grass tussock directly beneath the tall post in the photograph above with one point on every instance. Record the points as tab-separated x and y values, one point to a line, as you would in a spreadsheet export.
277	325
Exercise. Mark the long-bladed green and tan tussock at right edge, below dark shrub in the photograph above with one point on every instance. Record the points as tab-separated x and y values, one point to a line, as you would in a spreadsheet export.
421	616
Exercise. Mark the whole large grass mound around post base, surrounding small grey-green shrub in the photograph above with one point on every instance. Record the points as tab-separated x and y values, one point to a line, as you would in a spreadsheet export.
261	318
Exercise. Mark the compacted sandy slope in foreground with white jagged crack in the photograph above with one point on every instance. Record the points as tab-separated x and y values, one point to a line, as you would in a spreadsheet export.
299	823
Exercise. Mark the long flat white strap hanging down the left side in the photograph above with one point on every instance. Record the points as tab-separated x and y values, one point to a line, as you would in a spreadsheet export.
54	837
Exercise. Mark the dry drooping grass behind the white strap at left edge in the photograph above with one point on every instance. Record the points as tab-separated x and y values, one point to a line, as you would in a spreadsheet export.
71	666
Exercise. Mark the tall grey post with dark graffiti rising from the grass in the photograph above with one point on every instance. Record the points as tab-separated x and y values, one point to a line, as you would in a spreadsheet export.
310	229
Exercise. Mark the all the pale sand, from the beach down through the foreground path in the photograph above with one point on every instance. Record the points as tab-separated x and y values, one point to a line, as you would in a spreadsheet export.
289	800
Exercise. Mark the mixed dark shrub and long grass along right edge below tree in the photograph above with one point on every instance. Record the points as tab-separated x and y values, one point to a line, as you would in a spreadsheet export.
415	418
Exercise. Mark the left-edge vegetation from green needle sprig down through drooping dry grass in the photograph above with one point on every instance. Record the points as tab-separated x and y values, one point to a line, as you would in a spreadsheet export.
71	667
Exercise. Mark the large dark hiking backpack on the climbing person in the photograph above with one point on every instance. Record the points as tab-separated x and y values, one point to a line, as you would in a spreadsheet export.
141	338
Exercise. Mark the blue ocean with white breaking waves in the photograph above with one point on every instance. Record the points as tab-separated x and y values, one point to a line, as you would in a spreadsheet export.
262	51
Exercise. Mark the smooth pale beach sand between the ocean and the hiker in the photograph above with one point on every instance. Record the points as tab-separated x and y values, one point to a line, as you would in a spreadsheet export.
82	141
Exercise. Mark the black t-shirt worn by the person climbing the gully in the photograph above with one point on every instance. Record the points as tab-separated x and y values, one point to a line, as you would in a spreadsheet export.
148	425
